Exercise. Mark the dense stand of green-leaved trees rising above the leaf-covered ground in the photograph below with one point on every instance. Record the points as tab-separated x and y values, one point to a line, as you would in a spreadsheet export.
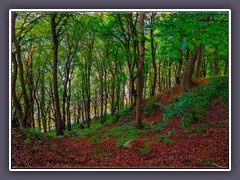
73	67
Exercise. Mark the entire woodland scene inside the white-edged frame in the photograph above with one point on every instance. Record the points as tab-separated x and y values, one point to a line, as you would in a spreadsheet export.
119	89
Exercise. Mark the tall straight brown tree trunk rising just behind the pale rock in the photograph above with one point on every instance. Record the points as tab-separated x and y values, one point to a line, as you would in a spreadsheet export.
139	123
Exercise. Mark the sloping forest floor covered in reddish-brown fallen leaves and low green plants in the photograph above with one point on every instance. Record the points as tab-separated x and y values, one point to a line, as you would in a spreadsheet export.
155	146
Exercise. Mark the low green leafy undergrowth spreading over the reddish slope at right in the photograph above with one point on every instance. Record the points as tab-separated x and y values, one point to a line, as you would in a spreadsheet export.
191	106
